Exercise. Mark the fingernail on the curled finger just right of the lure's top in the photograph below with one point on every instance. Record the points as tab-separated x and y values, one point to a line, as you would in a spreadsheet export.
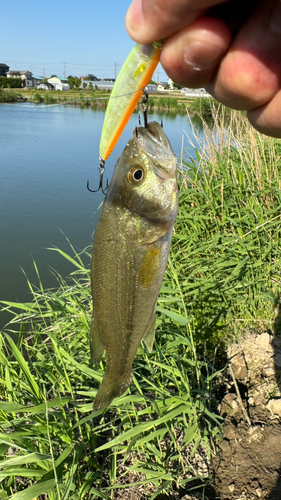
201	56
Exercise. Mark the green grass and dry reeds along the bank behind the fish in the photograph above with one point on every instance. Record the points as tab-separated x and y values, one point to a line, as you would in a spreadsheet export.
222	280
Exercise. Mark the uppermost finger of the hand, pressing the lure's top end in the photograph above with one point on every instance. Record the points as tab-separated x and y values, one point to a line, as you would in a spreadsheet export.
151	20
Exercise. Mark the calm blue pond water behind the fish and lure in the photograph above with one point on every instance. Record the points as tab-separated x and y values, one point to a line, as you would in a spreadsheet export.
47	153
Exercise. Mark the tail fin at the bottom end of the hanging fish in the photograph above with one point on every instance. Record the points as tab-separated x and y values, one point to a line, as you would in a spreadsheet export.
111	388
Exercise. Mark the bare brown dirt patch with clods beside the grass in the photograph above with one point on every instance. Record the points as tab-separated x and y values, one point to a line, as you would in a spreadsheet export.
249	463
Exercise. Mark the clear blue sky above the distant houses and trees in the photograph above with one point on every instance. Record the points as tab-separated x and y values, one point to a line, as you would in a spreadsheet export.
66	37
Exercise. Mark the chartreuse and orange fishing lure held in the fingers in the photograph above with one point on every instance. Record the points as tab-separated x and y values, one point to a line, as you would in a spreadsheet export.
134	75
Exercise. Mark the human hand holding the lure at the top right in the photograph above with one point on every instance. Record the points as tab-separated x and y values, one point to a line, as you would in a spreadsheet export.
232	49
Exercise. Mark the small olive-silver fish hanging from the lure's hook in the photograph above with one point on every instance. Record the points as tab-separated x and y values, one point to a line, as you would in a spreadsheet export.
130	251
